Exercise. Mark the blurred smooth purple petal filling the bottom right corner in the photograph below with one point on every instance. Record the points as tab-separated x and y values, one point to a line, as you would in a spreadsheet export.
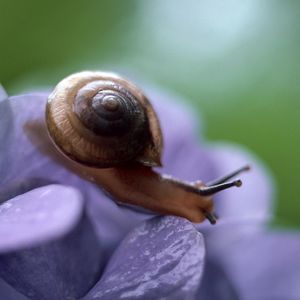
265	266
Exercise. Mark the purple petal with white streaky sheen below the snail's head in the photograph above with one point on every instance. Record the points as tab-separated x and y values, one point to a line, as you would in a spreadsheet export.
160	259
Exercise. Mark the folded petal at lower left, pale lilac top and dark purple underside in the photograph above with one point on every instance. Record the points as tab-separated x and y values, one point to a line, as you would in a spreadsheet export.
48	248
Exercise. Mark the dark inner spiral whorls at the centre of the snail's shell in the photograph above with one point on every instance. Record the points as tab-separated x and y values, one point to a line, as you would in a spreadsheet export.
108	109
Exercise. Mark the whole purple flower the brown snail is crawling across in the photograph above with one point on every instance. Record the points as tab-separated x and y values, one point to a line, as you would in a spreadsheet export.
62	237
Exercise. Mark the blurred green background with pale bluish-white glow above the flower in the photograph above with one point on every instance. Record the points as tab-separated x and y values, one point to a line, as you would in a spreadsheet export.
236	61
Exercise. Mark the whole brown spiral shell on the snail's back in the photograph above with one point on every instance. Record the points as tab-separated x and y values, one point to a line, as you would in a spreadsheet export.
102	120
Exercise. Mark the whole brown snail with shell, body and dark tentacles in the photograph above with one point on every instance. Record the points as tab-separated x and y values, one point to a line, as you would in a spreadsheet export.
108	126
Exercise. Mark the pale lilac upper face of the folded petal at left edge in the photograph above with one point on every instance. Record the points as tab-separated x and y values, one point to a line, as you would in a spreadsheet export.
38	216
